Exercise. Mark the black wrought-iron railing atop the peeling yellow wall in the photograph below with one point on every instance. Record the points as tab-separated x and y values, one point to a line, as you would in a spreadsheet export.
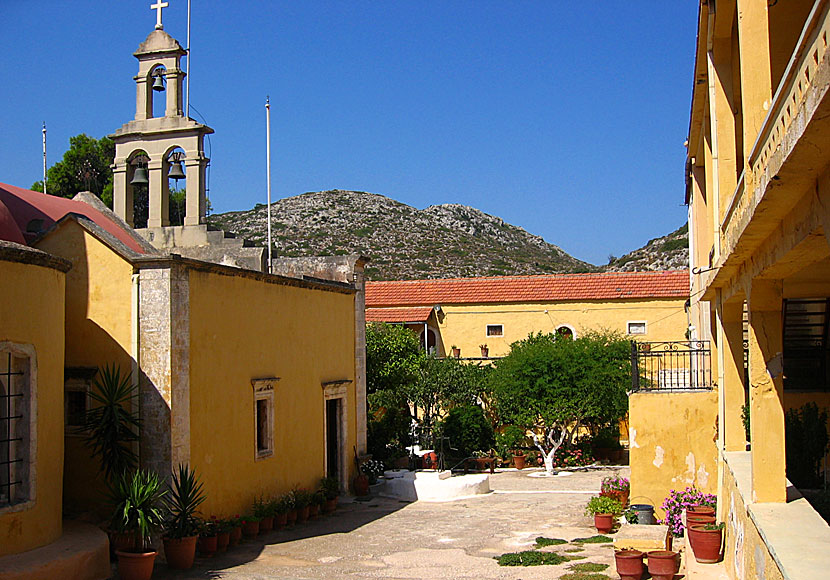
671	366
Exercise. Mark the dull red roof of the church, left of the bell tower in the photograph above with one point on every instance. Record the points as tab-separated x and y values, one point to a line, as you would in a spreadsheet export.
23	206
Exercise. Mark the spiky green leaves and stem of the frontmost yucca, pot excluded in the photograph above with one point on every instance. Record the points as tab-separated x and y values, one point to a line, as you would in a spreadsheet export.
138	503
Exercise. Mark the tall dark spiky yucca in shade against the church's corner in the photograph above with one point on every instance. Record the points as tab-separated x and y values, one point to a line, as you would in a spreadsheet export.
110	424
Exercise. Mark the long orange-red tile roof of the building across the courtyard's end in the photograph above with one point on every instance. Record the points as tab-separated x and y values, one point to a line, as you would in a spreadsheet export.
555	288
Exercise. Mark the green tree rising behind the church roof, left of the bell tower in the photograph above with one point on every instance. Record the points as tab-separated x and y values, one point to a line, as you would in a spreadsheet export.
85	167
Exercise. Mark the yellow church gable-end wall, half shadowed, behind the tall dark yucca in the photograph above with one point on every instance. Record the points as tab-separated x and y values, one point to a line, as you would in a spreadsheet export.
98	332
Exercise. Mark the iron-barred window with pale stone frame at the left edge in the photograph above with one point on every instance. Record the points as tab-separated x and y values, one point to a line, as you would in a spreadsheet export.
16	393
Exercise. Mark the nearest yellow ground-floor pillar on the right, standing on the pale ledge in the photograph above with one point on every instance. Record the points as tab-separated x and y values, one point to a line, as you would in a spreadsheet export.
766	394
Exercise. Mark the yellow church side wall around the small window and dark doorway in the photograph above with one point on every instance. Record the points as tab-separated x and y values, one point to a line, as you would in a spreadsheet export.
242	329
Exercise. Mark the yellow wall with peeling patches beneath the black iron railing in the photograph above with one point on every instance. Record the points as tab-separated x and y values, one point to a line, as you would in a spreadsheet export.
671	444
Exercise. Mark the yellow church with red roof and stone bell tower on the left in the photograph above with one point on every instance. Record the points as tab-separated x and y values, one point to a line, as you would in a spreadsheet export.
255	380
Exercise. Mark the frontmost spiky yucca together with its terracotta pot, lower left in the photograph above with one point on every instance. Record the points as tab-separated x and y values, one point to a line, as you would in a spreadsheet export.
138	510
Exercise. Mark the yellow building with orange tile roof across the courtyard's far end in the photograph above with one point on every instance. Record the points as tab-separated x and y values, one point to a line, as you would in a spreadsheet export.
472	314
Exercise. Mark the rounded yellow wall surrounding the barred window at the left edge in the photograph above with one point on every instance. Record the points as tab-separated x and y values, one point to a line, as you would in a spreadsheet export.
32	313
